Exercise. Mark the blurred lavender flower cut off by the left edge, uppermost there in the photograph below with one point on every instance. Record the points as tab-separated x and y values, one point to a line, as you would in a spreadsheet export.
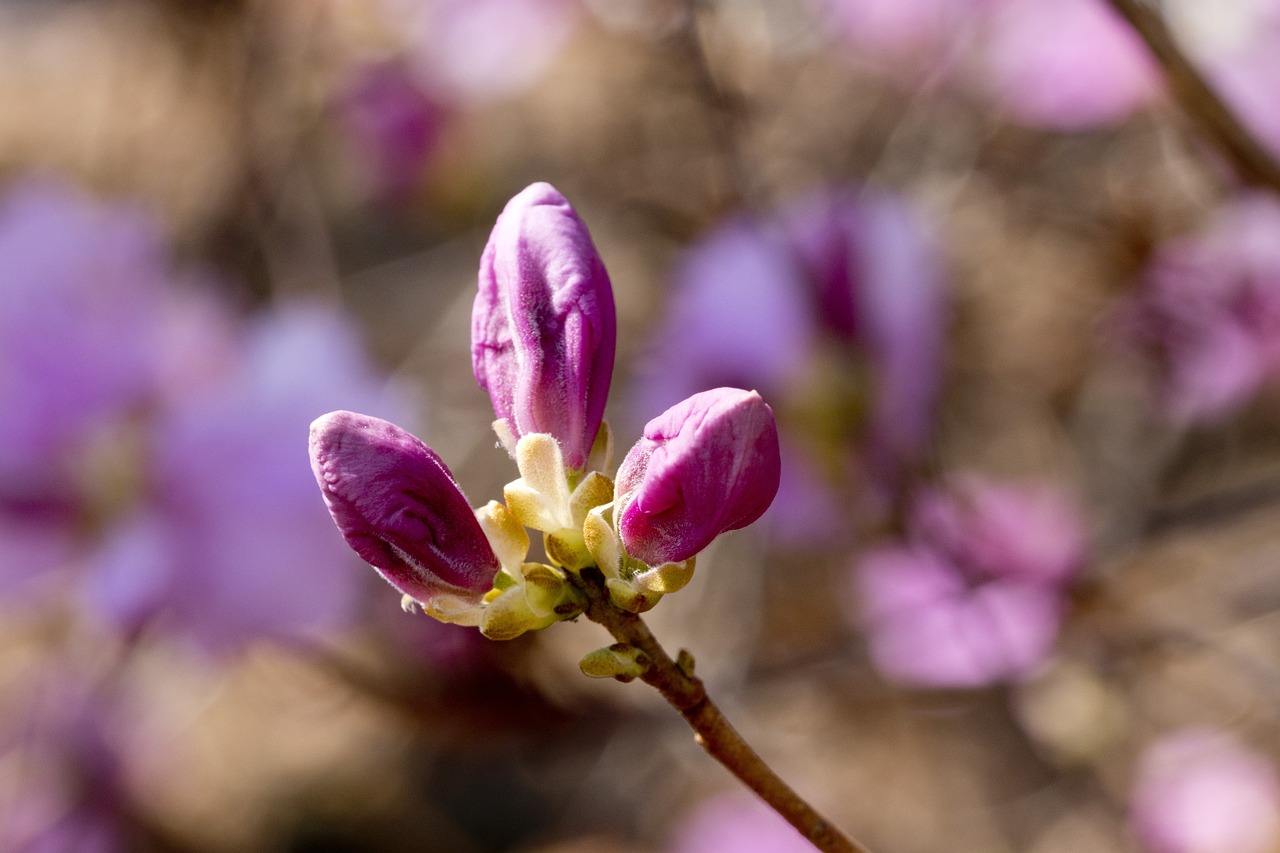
81	289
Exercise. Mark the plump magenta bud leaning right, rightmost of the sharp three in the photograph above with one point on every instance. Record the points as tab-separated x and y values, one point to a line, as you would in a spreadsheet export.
707	466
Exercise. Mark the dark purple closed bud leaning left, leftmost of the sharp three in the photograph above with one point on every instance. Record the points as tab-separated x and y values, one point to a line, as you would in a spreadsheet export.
400	508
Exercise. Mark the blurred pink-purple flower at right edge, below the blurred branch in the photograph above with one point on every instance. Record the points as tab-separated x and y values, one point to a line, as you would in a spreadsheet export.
1210	309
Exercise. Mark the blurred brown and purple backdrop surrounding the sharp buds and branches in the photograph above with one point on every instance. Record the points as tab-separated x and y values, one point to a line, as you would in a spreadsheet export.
1018	317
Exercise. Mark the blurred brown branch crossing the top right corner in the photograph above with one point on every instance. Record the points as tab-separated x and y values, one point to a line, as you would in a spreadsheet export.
1200	101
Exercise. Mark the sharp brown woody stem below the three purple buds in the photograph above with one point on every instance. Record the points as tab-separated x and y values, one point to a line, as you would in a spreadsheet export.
688	695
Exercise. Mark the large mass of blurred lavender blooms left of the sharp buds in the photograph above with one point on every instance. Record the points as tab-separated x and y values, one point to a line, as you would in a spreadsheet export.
153	432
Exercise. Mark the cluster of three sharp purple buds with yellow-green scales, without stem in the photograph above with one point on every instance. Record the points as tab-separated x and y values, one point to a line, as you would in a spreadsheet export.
543	346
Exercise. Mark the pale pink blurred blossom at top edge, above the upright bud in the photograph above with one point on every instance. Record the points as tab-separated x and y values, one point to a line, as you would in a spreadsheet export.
482	51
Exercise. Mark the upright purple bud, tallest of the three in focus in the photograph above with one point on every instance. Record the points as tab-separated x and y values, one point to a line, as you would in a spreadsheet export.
543	326
